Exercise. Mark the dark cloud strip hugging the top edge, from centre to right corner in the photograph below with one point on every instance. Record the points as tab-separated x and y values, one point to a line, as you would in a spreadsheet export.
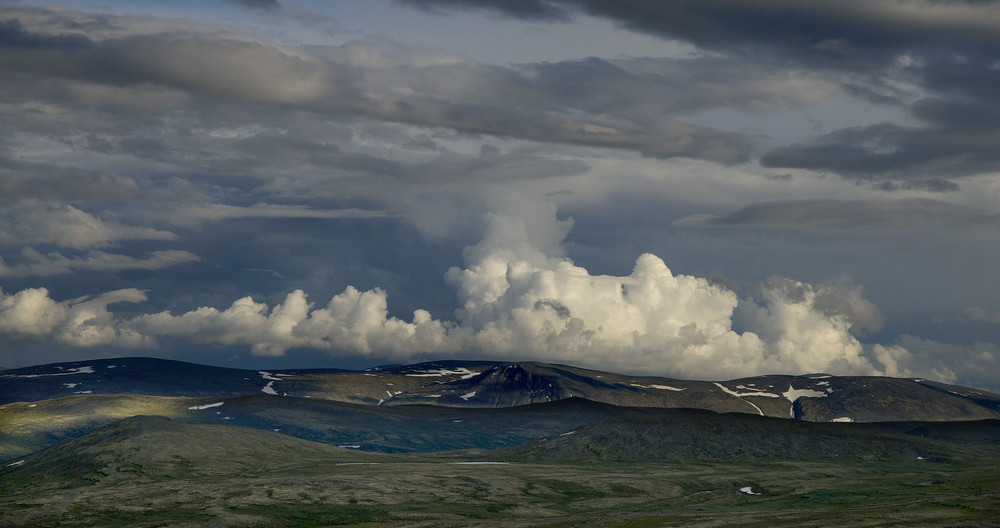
842	32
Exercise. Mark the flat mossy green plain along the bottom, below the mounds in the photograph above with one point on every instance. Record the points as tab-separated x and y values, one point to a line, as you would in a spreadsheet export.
427	491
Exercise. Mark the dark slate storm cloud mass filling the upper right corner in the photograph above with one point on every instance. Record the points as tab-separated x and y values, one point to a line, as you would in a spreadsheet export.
881	50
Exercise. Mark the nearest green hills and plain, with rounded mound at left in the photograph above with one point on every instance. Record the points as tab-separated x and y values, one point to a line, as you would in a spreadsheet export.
641	467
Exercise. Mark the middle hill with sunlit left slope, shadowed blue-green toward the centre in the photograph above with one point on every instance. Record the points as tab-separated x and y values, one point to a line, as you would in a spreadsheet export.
25	427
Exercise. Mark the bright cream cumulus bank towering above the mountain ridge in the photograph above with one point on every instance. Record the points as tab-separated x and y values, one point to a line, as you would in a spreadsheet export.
517	301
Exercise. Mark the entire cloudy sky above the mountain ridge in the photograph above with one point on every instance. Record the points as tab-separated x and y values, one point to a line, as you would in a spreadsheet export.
701	189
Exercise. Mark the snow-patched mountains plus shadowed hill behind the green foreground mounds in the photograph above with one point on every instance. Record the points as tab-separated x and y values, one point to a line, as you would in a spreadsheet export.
434	406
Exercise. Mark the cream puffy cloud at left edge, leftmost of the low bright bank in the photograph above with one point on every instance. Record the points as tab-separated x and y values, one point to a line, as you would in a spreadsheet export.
84	322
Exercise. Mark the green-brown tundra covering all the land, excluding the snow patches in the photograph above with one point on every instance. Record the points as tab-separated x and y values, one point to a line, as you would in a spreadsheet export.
126	459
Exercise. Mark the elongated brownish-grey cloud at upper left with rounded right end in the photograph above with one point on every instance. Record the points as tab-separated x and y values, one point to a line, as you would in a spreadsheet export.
212	64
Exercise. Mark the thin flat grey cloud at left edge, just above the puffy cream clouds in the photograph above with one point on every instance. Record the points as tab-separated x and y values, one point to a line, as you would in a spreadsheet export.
36	264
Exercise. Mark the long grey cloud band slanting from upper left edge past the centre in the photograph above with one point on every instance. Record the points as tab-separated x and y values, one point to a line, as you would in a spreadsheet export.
590	102
